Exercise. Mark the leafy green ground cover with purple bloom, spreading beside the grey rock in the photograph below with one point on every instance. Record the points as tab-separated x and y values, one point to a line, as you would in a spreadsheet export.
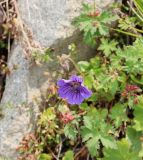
97	112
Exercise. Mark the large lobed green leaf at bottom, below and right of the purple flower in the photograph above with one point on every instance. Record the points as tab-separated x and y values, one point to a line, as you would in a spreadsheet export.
96	129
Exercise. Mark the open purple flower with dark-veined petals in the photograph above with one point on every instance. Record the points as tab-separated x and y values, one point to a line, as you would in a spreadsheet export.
73	90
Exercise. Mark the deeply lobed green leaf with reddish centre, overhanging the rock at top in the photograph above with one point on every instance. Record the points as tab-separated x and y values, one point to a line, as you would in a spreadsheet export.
93	27
